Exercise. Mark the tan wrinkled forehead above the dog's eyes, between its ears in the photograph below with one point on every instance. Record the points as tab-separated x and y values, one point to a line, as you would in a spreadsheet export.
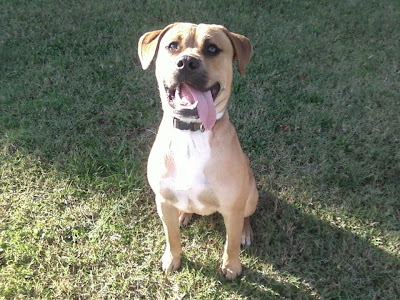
197	34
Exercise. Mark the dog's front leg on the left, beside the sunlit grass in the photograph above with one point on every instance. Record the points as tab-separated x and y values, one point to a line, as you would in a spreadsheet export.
169	215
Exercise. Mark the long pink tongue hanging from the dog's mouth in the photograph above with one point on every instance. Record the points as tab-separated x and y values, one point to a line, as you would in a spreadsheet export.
205	104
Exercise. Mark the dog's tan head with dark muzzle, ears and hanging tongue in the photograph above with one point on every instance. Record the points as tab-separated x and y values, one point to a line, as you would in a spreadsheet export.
194	67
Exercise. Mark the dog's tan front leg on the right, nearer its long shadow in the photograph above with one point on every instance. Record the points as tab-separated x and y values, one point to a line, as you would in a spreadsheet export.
231	265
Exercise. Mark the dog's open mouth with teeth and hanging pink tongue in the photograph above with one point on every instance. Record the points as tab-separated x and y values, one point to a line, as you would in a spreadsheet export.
190	102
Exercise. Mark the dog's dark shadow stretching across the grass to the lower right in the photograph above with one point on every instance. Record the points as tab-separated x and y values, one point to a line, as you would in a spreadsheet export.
332	262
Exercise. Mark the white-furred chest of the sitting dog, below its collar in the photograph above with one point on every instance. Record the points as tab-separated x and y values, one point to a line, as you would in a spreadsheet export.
186	186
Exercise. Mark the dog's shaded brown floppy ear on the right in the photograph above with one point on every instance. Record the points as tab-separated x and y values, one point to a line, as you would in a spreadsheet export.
242	48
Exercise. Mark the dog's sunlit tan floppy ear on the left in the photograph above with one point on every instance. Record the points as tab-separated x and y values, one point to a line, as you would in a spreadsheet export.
148	45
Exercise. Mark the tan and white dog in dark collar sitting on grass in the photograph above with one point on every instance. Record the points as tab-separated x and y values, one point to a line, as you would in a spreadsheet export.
196	164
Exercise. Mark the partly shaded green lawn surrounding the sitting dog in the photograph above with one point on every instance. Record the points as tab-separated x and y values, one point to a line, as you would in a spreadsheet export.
317	113
